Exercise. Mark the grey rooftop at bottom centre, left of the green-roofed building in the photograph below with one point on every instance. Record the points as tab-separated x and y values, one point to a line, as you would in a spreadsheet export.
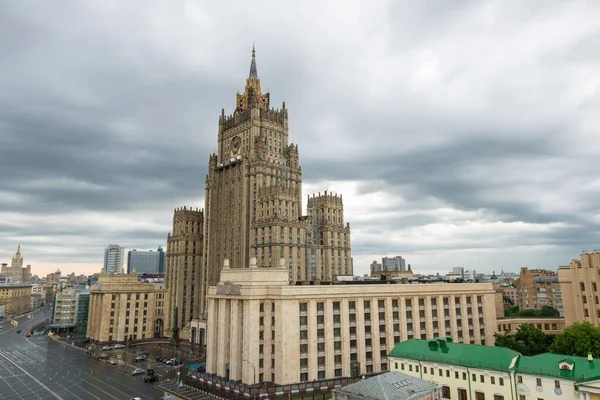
390	385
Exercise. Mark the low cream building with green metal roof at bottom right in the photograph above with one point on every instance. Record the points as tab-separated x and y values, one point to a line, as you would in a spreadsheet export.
467	371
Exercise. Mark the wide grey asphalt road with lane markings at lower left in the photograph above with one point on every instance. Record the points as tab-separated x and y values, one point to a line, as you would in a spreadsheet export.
41	368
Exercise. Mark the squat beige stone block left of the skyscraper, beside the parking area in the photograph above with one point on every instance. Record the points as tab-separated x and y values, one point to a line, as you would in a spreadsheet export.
121	308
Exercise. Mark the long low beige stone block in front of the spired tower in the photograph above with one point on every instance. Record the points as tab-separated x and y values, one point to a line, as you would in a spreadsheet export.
293	333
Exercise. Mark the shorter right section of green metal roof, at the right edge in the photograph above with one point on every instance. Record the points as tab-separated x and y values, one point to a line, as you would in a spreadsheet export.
547	365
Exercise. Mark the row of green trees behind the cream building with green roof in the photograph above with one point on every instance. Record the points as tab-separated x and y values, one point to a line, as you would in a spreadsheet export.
578	339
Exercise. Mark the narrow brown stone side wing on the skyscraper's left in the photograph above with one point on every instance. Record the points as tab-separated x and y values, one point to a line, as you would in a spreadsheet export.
185	272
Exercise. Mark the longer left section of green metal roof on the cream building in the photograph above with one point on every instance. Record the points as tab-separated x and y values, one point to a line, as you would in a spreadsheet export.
466	355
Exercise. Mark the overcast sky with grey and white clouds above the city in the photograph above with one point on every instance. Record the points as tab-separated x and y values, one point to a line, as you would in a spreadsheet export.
459	133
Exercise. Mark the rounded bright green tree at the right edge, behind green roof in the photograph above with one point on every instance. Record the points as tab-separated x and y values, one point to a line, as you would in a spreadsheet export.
578	339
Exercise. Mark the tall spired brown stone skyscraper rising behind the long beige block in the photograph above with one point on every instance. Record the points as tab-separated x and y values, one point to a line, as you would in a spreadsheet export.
253	207
